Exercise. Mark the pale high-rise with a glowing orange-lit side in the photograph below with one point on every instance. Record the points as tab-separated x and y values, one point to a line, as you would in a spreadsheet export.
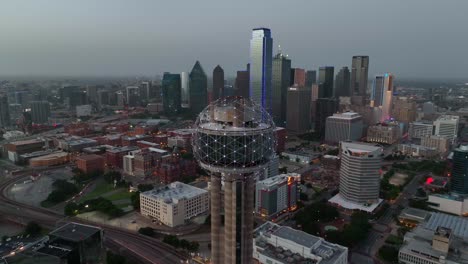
382	94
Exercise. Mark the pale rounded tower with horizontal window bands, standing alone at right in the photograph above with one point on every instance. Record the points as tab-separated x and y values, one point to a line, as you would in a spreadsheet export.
359	172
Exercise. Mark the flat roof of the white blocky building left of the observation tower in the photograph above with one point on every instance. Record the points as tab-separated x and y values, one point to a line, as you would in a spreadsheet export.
174	192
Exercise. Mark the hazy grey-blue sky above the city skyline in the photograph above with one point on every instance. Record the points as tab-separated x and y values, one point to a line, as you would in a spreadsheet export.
411	38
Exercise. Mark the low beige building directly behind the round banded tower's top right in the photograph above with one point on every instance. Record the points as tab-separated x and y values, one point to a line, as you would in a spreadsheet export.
386	133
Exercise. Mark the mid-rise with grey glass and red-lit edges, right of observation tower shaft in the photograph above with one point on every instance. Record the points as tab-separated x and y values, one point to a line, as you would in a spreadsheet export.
277	195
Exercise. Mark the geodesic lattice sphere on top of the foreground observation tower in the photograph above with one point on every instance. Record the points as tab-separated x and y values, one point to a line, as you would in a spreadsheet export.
234	133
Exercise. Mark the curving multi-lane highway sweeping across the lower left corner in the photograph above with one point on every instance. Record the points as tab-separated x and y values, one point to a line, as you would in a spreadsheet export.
143	248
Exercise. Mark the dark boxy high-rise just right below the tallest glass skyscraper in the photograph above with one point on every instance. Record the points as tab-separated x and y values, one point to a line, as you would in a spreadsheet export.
298	109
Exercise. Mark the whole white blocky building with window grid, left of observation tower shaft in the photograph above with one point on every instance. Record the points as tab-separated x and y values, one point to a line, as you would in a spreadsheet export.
174	204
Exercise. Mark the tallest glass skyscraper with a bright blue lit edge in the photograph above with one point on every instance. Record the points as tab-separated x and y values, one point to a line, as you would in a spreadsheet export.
261	55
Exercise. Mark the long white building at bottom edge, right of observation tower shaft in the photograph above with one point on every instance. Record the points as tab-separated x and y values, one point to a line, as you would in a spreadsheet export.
275	244
